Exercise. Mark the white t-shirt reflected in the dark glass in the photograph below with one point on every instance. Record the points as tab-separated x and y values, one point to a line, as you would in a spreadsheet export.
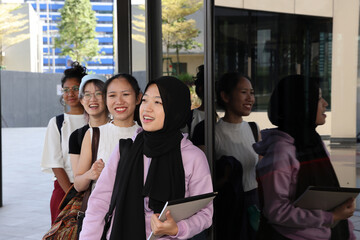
236	139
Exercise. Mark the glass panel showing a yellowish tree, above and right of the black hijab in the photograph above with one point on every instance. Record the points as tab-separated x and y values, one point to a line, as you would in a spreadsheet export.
183	41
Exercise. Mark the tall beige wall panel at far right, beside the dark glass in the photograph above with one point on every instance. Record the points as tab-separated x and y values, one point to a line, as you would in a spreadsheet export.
344	68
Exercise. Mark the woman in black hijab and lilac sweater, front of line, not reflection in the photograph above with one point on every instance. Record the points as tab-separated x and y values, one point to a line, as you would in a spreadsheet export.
160	165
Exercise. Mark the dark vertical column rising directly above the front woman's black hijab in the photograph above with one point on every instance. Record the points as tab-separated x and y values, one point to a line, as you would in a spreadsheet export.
153	39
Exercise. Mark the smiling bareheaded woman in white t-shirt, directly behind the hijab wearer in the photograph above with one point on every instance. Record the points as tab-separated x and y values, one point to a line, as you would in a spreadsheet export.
122	94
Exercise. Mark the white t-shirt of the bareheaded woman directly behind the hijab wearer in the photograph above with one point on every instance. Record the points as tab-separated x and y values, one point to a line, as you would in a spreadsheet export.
110	136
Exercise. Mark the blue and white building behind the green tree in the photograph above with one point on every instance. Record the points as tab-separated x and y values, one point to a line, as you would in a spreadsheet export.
52	62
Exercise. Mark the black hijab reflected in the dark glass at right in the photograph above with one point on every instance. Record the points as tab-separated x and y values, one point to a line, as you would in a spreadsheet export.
293	108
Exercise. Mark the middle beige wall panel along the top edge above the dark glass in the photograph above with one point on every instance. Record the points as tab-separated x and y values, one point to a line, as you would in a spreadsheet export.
284	6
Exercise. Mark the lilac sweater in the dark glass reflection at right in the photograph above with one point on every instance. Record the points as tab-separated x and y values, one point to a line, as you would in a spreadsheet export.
277	172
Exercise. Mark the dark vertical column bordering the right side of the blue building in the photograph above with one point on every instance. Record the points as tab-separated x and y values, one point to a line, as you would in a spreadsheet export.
123	32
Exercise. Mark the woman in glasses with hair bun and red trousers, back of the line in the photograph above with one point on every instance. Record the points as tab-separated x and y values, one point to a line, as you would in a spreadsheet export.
55	158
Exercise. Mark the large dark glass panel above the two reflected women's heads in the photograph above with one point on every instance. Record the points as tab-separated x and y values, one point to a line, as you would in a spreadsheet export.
268	46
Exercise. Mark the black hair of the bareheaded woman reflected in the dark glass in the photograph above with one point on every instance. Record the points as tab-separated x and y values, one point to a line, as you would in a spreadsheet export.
227	84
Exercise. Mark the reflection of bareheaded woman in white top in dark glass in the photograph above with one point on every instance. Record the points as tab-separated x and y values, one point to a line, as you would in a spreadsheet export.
234	139
